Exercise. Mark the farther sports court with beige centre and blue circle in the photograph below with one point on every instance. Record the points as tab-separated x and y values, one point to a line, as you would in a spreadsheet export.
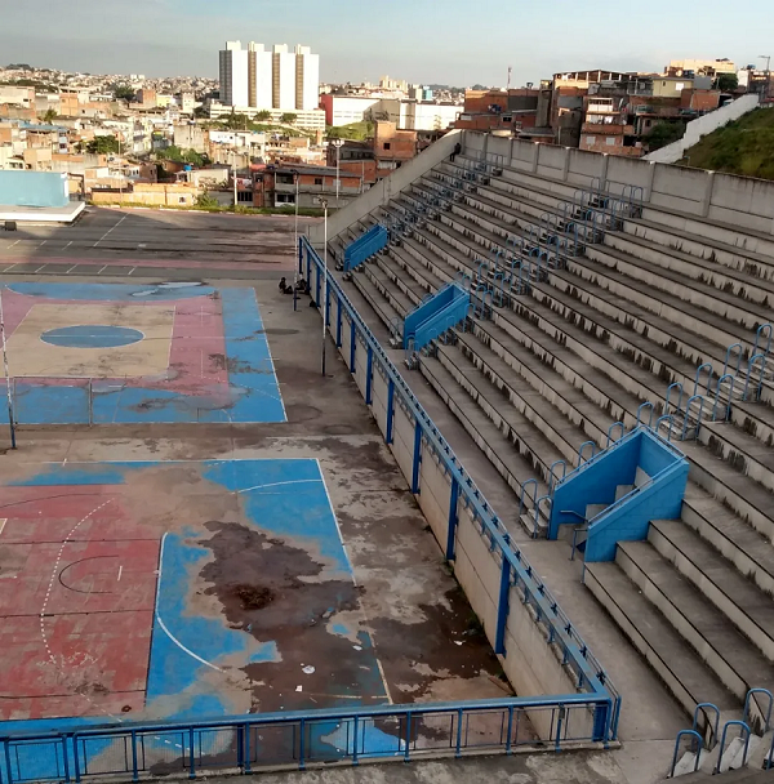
121	353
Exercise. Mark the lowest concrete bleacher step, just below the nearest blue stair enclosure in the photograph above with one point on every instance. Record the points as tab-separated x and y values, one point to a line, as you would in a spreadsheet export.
683	671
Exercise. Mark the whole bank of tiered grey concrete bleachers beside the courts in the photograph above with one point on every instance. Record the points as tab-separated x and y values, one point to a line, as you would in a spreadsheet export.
595	339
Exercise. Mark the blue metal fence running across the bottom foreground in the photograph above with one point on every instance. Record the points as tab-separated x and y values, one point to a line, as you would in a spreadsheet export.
246	744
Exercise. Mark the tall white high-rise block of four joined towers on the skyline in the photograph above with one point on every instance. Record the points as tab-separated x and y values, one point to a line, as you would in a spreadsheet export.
256	78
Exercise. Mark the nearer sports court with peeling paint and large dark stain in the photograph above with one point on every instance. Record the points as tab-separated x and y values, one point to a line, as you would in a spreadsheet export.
120	600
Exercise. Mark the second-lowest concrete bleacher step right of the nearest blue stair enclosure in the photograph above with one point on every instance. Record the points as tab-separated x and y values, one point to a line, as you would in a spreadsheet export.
738	665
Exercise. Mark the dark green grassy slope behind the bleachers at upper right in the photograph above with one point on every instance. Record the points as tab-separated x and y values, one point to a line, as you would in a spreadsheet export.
744	146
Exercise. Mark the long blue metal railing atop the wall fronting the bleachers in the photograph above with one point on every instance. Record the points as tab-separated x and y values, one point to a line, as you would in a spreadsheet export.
558	628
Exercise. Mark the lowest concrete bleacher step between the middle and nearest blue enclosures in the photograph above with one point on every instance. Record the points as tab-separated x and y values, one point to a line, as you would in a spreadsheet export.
504	456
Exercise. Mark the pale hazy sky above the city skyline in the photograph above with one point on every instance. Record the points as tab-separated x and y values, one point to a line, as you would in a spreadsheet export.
455	42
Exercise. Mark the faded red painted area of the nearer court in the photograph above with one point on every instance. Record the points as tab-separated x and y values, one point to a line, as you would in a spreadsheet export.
77	595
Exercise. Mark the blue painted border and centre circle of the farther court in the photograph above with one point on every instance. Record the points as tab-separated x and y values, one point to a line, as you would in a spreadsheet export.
254	394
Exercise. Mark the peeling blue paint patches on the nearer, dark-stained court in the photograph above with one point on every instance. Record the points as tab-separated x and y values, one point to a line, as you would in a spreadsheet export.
286	499
